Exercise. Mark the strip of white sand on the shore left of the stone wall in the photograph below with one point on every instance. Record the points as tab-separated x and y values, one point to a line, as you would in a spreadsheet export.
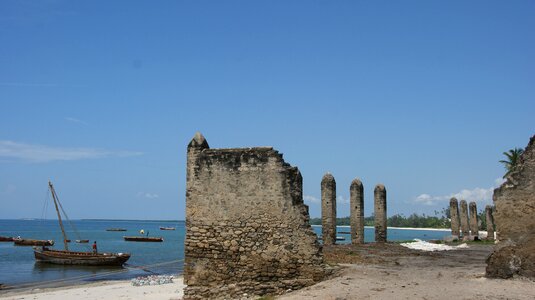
106	290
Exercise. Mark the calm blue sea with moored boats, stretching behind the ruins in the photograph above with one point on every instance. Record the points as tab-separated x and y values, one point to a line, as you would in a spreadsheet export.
18	267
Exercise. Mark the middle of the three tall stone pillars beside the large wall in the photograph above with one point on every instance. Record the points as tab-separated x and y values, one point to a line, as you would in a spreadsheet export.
356	212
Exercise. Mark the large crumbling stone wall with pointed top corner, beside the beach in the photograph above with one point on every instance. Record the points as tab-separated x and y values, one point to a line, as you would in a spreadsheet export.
247	228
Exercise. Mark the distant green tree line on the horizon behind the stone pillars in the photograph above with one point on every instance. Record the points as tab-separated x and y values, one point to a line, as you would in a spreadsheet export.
440	219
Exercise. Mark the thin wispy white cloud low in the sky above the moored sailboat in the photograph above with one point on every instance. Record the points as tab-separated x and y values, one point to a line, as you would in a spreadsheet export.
41	153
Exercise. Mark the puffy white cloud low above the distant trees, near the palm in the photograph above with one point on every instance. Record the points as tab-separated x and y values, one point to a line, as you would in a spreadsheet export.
477	195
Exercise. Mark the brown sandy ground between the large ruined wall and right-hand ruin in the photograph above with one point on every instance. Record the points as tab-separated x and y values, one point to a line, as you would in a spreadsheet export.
394	272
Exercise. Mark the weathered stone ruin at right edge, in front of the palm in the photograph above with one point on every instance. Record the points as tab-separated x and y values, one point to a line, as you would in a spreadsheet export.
515	221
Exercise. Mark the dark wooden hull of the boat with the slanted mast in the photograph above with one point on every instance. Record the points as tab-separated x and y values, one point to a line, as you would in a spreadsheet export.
80	258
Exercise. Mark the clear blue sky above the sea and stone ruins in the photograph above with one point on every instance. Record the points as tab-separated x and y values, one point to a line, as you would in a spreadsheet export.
102	97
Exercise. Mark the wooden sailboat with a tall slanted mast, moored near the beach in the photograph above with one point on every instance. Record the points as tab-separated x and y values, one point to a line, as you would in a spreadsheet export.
67	257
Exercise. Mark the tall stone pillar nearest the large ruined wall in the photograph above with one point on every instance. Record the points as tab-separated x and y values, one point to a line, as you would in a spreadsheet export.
328	209
